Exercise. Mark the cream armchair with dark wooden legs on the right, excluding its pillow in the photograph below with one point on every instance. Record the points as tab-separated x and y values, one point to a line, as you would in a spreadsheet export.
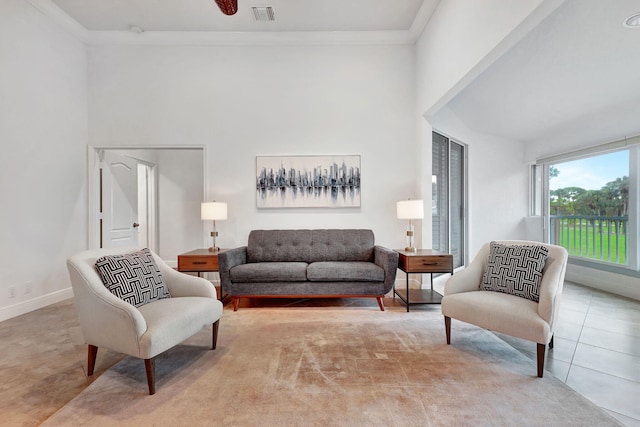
505	313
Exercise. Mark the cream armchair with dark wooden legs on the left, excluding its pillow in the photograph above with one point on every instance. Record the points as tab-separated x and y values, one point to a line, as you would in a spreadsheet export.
146	331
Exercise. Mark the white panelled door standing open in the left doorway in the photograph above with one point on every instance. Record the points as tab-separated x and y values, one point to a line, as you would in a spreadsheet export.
119	201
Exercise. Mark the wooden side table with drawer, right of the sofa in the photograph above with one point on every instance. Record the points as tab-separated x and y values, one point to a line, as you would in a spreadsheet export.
422	261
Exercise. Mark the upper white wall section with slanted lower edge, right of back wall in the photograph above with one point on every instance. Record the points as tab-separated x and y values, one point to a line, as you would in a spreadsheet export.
463	36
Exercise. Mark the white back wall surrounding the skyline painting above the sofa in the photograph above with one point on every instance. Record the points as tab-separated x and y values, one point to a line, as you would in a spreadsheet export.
240	102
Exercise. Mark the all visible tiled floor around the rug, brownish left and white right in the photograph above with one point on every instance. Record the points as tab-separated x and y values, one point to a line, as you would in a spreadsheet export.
597	353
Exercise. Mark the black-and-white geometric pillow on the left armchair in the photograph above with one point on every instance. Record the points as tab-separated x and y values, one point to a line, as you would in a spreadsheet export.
134	278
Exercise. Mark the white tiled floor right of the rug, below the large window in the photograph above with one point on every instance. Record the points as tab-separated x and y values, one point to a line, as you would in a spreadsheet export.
597	350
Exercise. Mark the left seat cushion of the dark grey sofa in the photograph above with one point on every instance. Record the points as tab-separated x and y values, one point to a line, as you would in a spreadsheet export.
269	272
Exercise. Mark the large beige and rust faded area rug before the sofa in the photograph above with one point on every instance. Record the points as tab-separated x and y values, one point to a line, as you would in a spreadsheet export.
334	366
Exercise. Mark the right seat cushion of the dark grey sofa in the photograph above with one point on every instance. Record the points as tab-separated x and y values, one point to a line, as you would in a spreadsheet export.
344	271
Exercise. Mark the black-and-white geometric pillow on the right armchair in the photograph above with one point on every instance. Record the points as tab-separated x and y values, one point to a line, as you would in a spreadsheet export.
515	270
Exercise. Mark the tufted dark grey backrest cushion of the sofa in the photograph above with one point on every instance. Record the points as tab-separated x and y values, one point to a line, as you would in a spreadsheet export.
310	245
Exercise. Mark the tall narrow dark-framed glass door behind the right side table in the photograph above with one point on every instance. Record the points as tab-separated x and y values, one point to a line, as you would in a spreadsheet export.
448	193
